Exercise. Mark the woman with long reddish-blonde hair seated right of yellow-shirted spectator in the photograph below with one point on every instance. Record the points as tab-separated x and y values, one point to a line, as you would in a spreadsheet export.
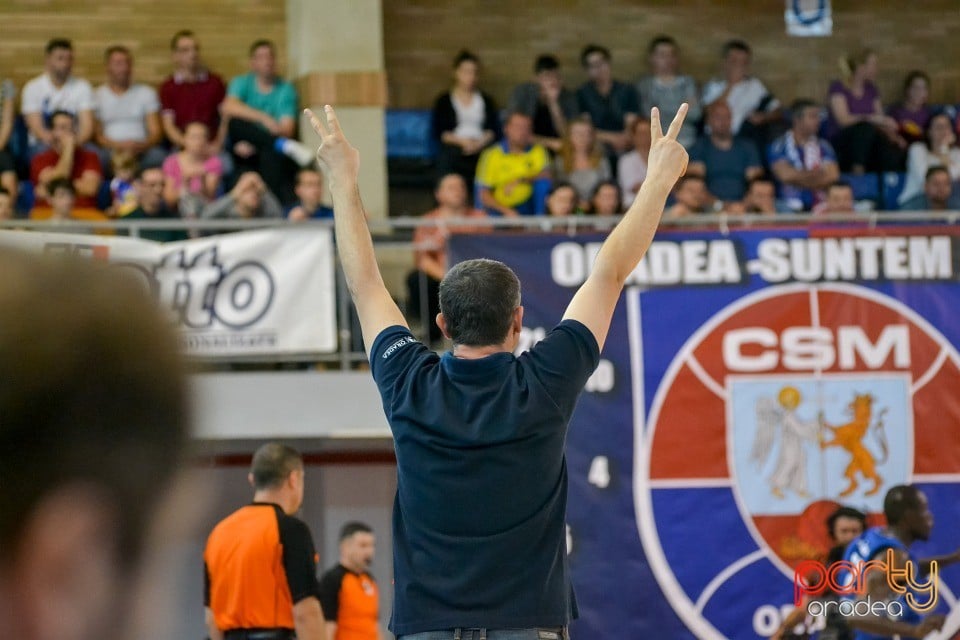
581	160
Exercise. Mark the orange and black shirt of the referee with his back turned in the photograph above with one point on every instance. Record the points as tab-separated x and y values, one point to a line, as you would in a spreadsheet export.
259	562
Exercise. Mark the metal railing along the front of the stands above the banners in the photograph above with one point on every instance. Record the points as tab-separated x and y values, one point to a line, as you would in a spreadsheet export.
396	233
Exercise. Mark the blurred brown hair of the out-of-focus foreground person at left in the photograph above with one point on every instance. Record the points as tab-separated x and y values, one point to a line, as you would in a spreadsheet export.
120	432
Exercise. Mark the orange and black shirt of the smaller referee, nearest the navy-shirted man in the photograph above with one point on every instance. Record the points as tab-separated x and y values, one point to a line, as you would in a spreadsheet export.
352	601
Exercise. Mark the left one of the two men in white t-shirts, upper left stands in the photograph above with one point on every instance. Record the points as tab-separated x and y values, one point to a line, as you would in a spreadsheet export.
56	89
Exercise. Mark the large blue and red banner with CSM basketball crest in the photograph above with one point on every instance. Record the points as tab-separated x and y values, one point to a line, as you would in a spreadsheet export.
751	382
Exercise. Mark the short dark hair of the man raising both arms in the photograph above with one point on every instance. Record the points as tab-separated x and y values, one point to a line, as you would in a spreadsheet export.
477	299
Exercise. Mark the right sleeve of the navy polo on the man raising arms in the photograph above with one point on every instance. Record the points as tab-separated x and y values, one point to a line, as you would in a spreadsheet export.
564	360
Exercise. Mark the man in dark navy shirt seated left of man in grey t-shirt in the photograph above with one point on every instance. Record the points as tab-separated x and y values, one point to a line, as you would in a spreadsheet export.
612	105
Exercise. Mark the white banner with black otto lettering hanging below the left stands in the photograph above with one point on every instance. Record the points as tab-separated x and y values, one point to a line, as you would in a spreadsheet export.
255	293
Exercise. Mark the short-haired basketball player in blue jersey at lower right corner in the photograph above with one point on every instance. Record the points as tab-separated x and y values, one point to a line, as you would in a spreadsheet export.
908	520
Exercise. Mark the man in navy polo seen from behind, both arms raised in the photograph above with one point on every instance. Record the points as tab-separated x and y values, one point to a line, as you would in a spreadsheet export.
479	515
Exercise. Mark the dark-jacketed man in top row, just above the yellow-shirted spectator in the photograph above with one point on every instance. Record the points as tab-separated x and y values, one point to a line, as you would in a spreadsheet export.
550	104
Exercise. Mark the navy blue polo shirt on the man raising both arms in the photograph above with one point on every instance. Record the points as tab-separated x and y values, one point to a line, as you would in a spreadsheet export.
479	536
